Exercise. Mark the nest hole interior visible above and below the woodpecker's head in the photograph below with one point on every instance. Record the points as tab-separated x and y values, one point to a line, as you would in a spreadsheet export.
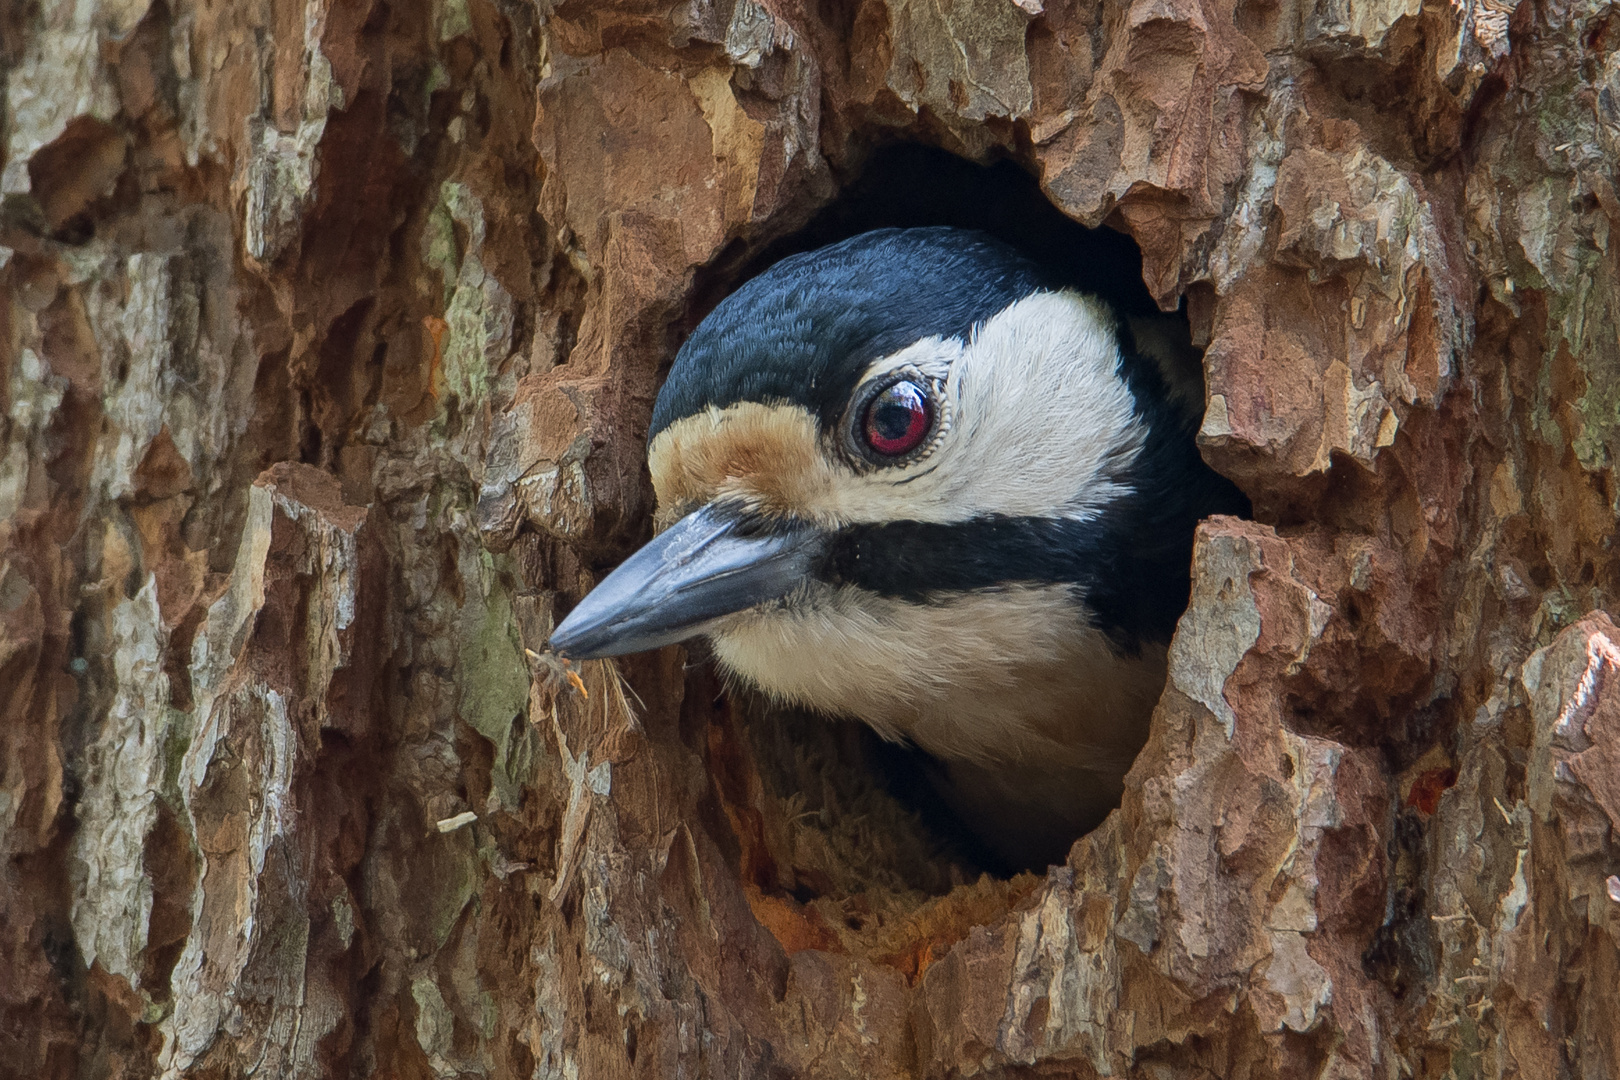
843	841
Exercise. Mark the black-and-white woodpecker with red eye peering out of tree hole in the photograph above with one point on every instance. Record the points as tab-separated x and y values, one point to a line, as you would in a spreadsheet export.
918	480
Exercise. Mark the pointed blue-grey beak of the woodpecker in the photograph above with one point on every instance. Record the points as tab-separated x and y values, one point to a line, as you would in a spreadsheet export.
689	576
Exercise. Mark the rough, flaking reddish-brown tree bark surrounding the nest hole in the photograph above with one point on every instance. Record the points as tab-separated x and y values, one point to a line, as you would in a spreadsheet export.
328	342
